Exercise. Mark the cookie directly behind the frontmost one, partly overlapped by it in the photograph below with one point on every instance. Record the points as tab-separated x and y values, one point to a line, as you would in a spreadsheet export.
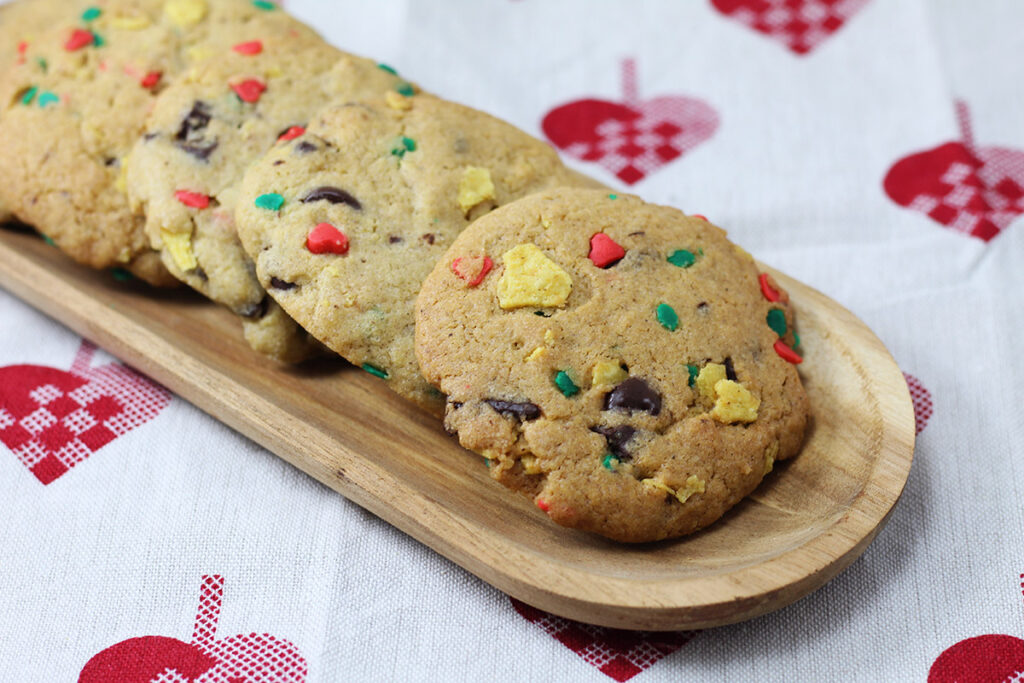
346	222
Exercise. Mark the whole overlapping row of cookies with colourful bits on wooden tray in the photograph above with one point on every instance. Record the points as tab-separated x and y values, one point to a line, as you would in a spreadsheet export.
619	362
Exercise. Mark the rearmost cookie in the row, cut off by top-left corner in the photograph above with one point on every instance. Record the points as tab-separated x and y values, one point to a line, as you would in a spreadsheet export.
75	106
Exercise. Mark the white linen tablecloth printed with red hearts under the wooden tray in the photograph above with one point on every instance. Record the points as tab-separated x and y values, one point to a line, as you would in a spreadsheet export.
806	130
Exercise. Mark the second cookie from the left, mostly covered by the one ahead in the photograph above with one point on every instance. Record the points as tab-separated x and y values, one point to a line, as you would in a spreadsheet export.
204	132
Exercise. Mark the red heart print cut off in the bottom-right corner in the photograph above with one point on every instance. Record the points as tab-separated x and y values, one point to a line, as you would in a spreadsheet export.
992	659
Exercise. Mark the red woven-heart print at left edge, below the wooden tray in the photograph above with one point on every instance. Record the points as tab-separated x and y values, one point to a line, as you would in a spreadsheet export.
54	419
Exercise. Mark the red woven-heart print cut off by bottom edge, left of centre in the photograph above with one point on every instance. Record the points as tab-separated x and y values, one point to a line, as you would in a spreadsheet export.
251	659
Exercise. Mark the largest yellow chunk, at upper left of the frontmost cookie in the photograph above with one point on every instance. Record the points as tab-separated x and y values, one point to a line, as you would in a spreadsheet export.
531	279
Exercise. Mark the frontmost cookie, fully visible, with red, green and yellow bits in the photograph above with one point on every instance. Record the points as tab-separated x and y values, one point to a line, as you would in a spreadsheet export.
615	360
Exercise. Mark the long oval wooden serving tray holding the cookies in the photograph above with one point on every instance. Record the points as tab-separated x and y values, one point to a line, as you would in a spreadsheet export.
808	522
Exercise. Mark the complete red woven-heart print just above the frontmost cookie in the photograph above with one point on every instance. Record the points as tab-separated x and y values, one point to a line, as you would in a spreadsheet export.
631	139
